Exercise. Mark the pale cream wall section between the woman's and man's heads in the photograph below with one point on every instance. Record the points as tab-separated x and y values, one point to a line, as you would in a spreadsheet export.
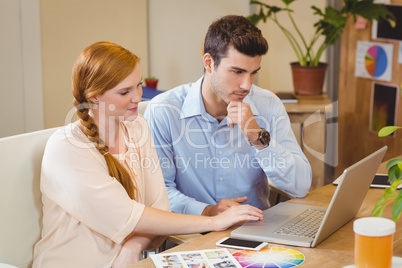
176	32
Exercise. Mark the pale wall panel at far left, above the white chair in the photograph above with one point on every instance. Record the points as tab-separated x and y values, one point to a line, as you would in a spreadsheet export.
21	104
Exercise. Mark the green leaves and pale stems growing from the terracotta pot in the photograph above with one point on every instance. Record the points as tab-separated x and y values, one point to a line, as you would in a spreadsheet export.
330	24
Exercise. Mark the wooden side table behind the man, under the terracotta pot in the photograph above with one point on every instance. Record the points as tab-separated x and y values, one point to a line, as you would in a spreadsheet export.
310	113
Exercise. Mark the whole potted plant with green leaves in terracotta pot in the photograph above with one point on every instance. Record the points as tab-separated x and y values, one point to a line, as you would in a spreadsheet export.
329	26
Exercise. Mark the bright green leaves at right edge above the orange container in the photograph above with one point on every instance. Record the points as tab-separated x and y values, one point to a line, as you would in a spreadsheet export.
391	194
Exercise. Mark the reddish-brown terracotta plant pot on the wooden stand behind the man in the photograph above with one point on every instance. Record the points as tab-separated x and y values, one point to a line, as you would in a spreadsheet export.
308	80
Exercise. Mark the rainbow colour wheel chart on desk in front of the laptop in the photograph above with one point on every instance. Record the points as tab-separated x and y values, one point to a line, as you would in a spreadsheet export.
269	258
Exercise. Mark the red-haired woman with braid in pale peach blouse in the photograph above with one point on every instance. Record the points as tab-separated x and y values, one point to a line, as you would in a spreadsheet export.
104	198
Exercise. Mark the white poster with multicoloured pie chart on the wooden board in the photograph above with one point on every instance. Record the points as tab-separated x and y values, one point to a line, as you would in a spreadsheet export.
374	60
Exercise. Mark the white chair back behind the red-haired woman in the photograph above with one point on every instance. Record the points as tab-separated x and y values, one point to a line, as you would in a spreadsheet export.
20	196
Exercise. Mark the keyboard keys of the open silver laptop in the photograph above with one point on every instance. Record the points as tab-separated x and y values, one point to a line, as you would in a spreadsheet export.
304	225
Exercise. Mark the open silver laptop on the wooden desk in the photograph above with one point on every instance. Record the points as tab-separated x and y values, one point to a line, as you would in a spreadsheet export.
276	227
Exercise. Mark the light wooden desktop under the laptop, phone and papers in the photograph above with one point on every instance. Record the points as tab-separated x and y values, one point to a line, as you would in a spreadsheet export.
335	251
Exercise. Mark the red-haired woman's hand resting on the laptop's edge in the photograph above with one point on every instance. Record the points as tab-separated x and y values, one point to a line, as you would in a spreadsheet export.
234	215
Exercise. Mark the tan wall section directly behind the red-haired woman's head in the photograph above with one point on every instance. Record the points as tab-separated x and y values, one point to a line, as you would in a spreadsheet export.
68	26
